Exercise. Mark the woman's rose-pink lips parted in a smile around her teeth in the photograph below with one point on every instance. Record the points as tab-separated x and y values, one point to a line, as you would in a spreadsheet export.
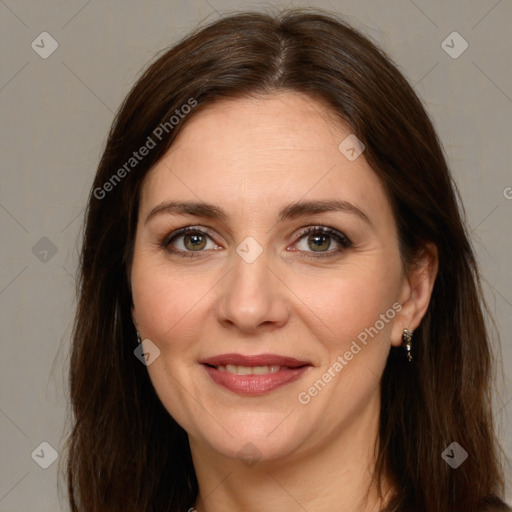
255	385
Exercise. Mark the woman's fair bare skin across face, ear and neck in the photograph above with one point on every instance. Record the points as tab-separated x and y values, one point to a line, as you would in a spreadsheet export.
251	157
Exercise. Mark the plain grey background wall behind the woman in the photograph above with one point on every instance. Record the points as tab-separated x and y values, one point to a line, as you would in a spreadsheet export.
55	114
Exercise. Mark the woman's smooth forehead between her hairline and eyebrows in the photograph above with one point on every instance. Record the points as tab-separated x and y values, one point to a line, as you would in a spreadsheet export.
263	152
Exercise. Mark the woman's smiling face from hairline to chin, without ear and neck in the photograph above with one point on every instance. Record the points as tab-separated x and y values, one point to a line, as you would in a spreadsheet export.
273	317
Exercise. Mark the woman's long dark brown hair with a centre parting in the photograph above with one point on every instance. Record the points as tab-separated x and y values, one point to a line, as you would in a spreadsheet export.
125	452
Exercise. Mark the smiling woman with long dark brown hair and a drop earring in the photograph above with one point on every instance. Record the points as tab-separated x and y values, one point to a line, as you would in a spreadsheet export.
279	306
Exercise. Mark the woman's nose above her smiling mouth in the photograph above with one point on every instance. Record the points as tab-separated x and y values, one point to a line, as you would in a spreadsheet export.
252	297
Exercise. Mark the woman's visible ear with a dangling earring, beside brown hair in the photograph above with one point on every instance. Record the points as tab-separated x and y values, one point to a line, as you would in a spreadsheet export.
416	291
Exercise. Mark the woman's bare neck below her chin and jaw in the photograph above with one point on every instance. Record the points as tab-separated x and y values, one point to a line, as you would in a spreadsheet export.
336	475
